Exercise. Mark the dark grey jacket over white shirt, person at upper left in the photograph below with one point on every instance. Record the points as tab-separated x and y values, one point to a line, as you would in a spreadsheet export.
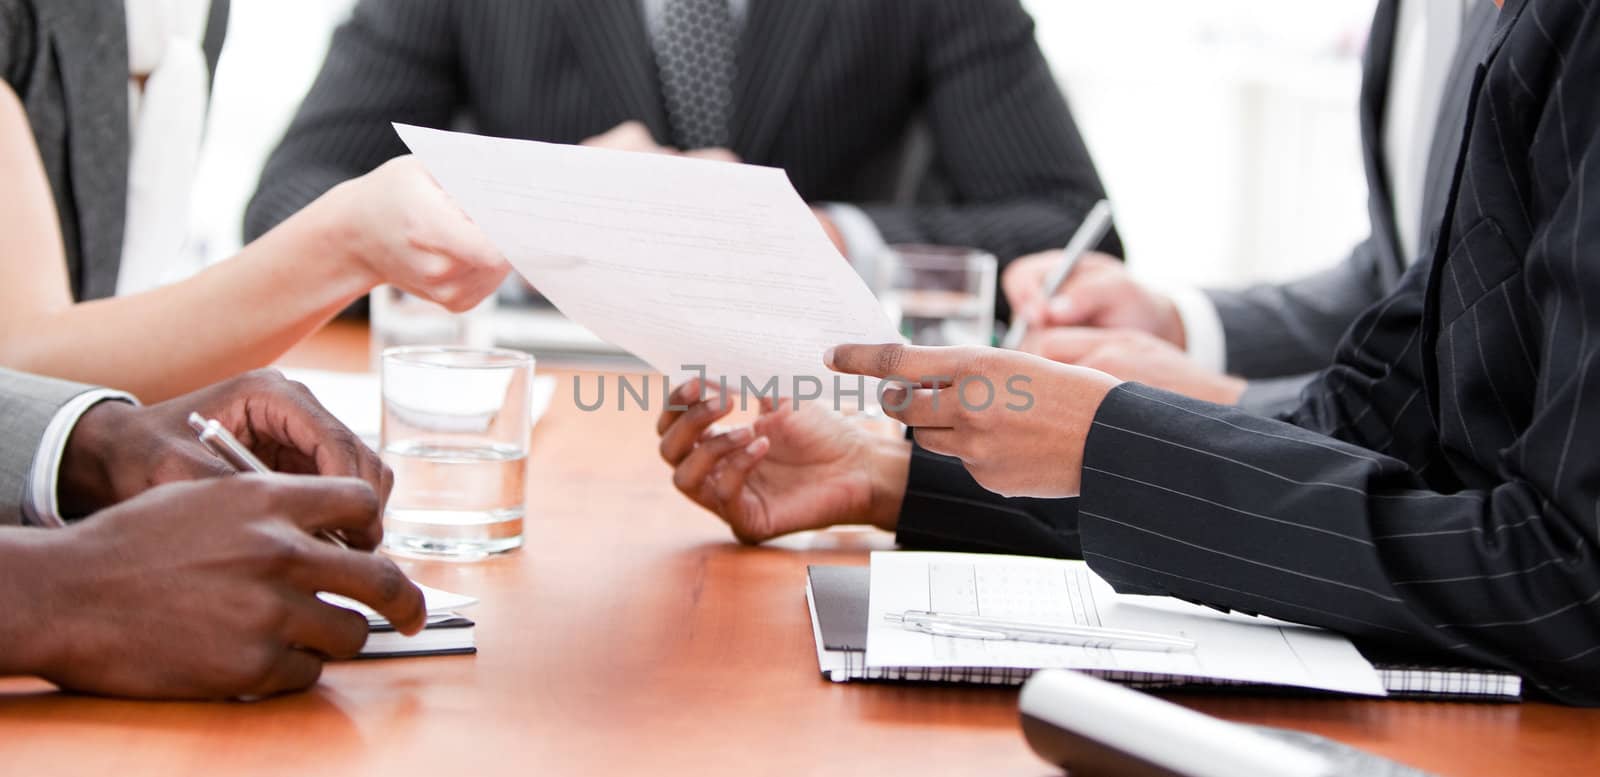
68	62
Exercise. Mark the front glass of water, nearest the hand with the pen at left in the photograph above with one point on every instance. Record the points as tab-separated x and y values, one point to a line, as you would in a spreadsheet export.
455	434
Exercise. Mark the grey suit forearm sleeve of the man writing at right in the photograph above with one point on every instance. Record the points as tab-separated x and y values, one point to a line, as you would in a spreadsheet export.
1294	329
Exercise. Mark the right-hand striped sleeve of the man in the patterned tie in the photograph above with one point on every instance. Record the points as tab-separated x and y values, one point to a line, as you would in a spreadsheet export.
1020	173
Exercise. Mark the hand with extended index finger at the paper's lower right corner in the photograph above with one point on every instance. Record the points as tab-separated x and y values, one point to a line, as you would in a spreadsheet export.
1018	423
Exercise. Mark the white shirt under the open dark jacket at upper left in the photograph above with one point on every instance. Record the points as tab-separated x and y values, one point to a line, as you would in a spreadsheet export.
166	49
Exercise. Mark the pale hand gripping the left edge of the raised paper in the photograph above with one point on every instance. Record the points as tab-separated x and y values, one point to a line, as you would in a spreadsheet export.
402	229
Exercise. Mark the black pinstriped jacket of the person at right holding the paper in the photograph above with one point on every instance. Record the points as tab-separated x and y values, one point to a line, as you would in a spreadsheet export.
1441	485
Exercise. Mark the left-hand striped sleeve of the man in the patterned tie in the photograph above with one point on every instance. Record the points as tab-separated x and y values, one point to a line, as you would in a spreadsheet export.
394	62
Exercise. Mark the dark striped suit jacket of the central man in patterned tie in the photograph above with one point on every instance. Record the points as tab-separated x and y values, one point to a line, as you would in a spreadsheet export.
826	90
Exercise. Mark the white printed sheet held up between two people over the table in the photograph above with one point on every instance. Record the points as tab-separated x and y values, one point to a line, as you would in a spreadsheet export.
684	263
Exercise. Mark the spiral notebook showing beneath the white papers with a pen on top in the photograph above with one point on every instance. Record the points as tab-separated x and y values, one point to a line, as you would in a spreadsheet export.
839	600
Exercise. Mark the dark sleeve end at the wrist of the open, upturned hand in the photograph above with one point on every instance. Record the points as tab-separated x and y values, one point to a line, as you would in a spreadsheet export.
945	509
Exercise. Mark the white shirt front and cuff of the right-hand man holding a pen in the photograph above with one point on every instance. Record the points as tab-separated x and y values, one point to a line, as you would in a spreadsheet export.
1426	39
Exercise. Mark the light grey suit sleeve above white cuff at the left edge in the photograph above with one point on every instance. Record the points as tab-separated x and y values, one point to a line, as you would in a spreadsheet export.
28	404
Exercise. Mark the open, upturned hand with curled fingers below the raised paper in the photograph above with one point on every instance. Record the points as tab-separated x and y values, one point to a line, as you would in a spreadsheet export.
791	471
